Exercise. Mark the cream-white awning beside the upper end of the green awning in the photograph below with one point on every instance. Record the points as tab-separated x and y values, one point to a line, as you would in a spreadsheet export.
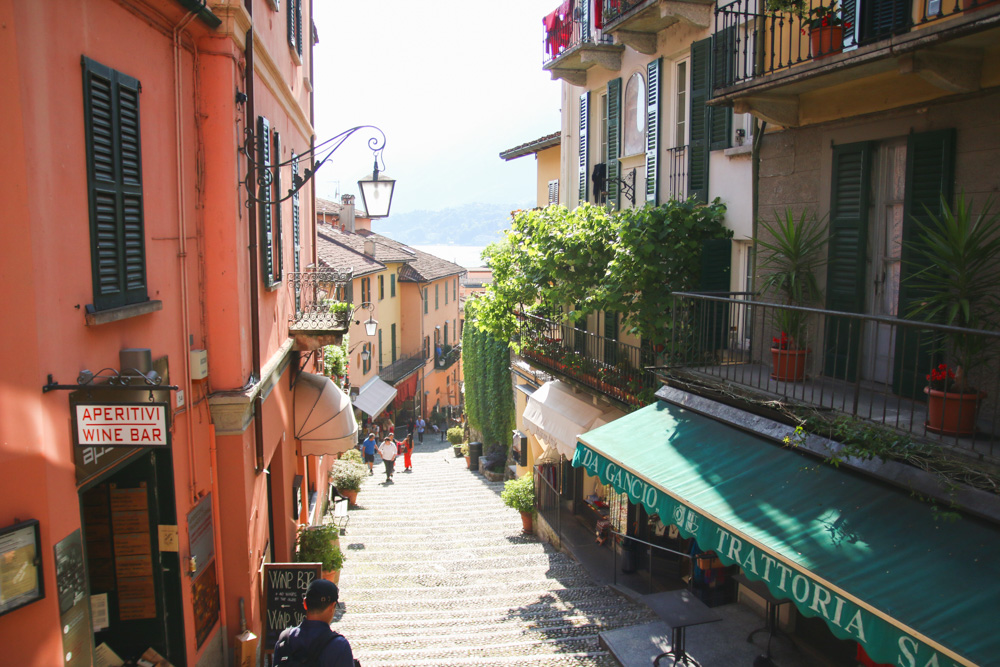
556	416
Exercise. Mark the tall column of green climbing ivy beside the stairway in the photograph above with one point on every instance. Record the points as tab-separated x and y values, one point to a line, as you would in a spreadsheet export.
489	395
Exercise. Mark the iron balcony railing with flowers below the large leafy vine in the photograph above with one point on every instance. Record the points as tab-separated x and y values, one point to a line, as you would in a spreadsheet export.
609	366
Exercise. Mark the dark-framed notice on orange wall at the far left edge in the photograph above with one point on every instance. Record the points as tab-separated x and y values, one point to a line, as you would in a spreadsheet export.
21	579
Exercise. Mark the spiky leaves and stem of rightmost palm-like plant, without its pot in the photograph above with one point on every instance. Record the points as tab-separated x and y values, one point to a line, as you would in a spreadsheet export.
958	255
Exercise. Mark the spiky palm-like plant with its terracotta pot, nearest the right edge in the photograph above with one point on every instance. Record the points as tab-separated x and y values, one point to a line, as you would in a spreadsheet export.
957	260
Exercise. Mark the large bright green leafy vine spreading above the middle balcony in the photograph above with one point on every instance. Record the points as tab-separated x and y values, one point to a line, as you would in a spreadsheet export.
627	262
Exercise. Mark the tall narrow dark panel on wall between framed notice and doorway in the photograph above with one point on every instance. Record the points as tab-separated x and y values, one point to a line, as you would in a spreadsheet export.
74	604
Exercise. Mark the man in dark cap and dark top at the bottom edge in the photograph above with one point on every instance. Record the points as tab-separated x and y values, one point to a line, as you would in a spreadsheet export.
312	642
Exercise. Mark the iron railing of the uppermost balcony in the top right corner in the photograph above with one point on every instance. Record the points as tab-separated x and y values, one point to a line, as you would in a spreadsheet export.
750	42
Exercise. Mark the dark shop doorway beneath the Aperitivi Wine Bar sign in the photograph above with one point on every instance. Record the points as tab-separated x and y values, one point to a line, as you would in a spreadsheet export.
138	583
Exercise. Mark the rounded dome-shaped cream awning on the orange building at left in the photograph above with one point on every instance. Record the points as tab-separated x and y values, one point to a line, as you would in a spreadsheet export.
324	421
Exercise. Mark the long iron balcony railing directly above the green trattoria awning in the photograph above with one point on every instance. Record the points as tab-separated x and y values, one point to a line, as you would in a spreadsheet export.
869	367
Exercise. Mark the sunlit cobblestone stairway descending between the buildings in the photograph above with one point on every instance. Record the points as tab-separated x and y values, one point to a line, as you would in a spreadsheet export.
438	573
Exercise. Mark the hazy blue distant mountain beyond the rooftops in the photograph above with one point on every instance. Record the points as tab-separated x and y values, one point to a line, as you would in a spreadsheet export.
471	225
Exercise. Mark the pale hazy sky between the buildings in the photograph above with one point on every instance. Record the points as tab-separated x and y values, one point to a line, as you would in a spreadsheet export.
450	82
